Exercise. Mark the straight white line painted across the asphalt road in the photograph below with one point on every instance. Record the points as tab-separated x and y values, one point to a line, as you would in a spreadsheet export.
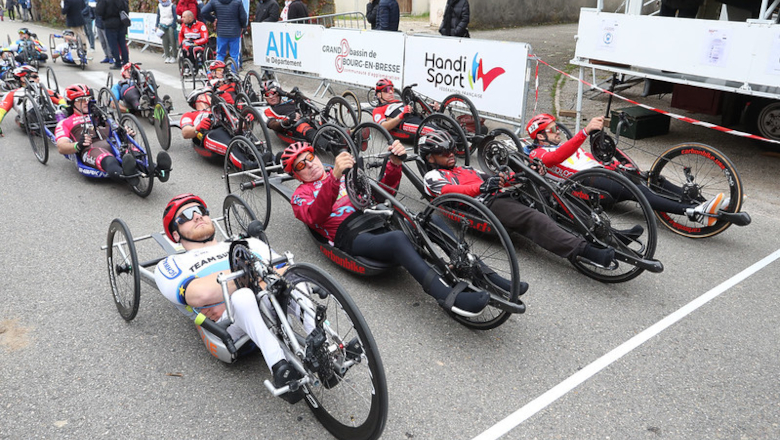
541	402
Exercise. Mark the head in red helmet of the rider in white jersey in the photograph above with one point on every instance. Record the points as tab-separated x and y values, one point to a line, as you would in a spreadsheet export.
186	219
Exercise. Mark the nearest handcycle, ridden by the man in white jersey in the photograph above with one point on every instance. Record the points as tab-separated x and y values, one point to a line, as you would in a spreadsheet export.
343	379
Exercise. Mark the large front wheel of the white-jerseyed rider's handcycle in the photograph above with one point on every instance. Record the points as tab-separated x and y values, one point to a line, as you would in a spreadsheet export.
354	404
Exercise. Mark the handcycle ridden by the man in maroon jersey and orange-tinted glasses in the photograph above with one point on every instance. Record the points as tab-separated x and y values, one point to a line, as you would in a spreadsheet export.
448	232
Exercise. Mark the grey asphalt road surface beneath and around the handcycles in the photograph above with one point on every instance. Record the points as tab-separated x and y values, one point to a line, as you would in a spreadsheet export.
71	367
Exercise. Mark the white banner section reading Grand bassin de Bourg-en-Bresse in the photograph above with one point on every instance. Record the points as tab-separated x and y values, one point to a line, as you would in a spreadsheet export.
362	57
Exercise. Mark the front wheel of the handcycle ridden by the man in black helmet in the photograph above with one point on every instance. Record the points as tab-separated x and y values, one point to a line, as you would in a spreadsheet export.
607	219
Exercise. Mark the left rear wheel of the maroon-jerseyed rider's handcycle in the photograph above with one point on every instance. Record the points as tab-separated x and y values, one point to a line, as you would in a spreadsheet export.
246	177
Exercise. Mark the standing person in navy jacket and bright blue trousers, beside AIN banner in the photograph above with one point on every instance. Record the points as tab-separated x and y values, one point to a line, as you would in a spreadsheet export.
231	19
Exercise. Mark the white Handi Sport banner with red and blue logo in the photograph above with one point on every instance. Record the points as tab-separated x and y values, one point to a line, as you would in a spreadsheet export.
490	73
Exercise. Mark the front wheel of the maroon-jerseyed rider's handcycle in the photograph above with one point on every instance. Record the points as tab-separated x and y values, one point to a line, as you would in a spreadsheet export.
478	250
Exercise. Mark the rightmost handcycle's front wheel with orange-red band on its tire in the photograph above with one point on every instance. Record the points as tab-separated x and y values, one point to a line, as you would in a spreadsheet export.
693	173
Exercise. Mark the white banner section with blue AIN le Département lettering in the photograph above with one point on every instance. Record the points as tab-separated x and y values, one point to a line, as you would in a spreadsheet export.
287	46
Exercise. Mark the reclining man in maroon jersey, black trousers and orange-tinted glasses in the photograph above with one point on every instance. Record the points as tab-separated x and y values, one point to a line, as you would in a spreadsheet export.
321	203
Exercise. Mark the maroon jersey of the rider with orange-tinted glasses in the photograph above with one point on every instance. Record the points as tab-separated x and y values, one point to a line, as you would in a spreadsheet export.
323	204
